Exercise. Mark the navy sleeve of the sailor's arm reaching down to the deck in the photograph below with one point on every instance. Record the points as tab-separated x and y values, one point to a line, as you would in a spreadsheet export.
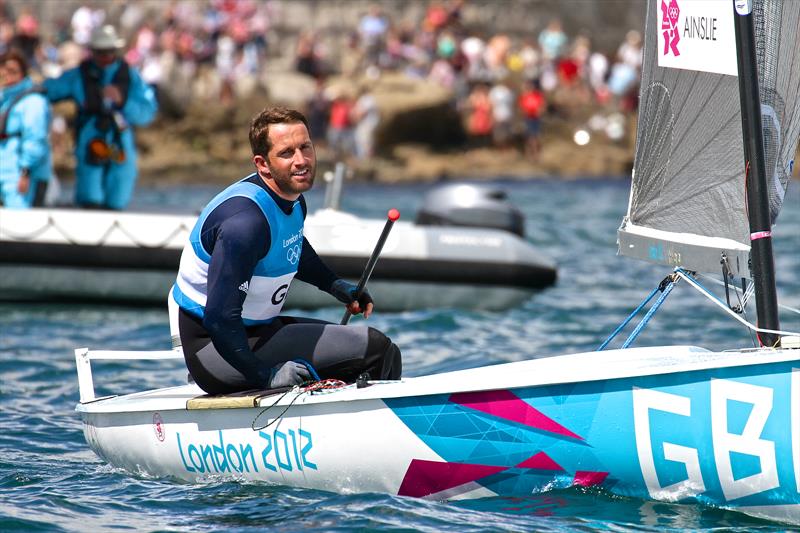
239	241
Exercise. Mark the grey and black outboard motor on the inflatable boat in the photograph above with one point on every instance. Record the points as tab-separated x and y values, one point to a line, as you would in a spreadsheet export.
480	206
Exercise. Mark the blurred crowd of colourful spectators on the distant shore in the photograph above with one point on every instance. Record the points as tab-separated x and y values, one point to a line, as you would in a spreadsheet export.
218	50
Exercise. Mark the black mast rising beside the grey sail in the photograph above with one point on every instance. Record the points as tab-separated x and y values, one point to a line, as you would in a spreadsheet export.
757	201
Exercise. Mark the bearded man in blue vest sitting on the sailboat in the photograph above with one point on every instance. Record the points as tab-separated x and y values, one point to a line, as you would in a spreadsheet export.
235	271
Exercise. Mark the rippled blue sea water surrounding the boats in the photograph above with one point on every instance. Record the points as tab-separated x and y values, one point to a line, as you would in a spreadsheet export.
51	481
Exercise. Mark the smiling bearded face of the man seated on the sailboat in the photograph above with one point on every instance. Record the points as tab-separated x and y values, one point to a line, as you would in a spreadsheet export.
291	163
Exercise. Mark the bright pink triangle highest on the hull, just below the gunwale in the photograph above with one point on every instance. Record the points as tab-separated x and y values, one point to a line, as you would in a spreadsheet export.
503	404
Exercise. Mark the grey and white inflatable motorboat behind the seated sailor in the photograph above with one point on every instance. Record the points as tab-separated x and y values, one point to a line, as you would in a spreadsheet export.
465	249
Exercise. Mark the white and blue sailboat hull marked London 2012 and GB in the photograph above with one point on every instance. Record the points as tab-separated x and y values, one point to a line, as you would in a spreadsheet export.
668	423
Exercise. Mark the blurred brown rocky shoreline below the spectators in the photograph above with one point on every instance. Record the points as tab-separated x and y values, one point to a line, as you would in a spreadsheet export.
208	144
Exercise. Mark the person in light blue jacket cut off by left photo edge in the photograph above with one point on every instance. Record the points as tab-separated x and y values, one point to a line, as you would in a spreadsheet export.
25	159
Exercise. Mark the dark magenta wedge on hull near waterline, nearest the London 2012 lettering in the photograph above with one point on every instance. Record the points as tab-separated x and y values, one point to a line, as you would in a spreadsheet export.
424	478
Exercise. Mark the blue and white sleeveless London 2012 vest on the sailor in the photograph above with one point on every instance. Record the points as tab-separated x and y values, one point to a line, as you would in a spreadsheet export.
266	290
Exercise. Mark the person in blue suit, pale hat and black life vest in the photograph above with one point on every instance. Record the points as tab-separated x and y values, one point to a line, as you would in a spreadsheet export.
112	98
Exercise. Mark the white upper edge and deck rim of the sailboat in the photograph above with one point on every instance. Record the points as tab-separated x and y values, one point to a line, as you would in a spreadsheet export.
584	367
